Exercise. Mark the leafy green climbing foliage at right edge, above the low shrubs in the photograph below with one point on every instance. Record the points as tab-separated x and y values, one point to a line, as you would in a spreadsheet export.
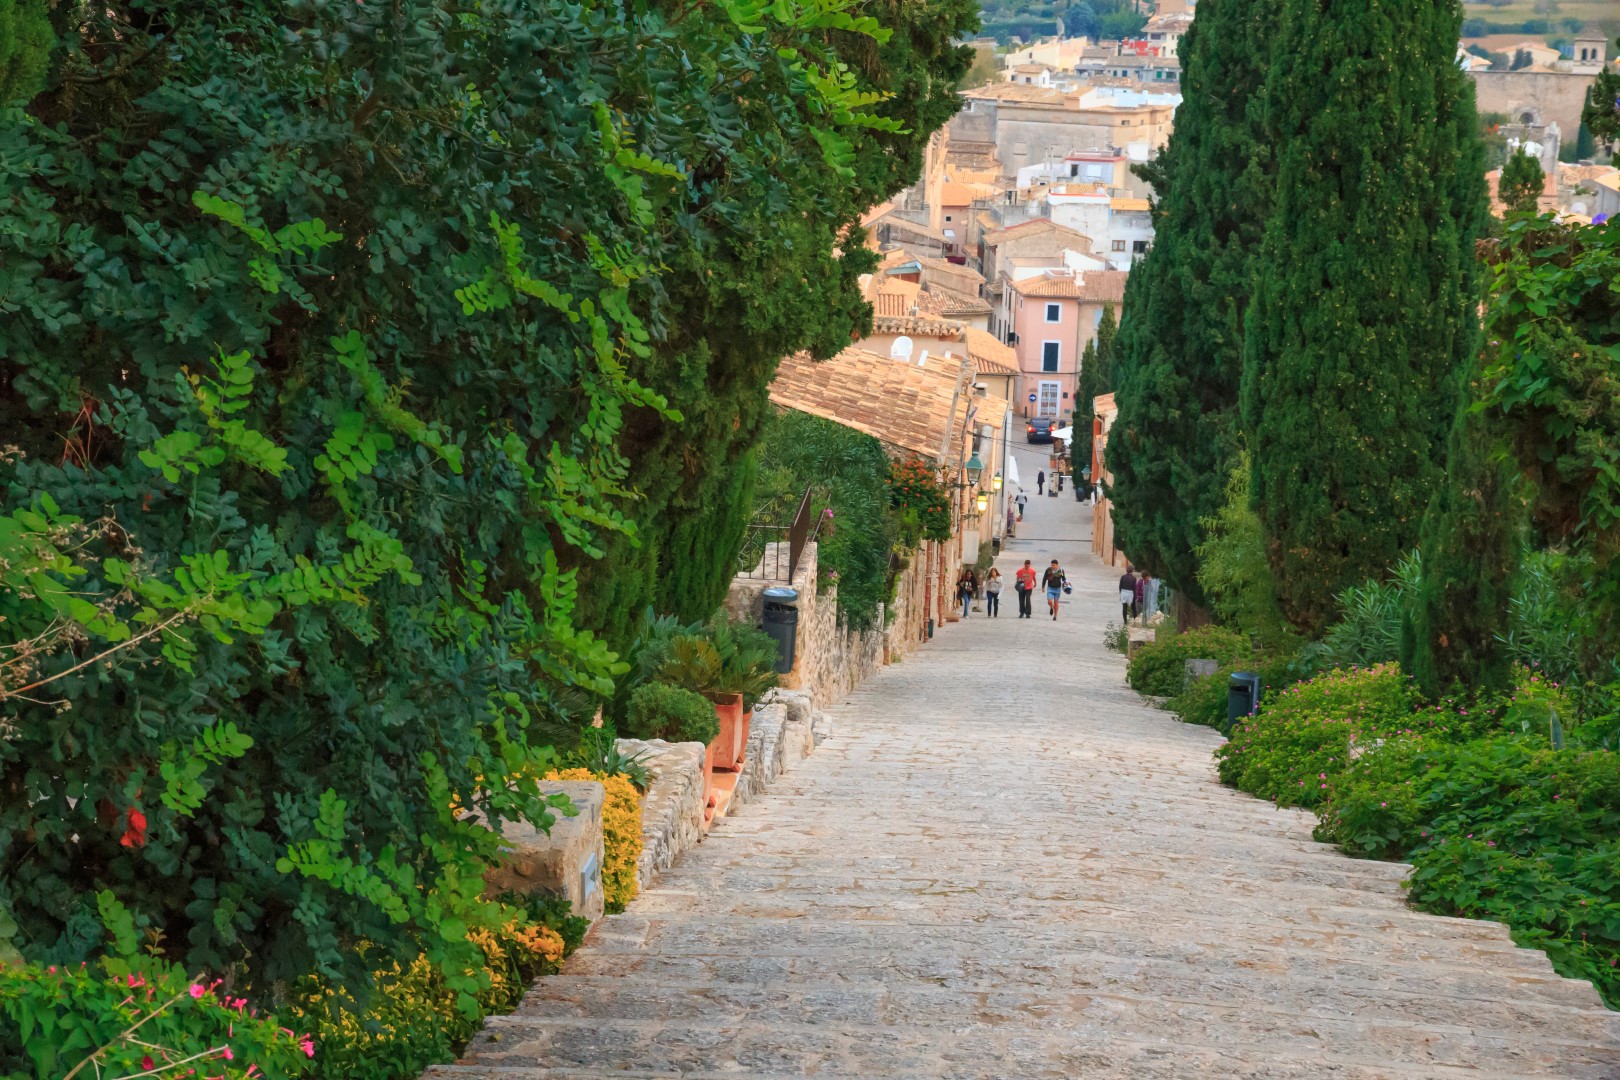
1553	401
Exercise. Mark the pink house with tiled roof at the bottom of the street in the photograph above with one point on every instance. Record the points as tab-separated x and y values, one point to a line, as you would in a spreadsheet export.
1054	318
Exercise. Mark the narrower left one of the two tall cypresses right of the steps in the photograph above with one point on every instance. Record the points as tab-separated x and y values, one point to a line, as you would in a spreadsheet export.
1182	336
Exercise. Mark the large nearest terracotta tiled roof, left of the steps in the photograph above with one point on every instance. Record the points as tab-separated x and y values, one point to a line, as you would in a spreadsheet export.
902	404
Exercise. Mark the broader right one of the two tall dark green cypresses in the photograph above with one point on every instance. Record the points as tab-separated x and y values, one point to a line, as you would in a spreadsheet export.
1366	297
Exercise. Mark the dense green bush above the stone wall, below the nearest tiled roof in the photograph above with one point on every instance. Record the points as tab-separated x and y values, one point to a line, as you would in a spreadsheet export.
848	477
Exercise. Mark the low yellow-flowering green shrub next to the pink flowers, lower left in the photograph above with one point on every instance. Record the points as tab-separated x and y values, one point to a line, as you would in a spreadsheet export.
414	1021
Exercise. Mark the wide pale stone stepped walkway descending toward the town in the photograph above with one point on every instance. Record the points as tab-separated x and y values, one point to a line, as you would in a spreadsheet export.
1005	864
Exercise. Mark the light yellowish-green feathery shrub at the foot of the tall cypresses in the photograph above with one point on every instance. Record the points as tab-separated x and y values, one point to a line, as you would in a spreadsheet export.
1234	572
